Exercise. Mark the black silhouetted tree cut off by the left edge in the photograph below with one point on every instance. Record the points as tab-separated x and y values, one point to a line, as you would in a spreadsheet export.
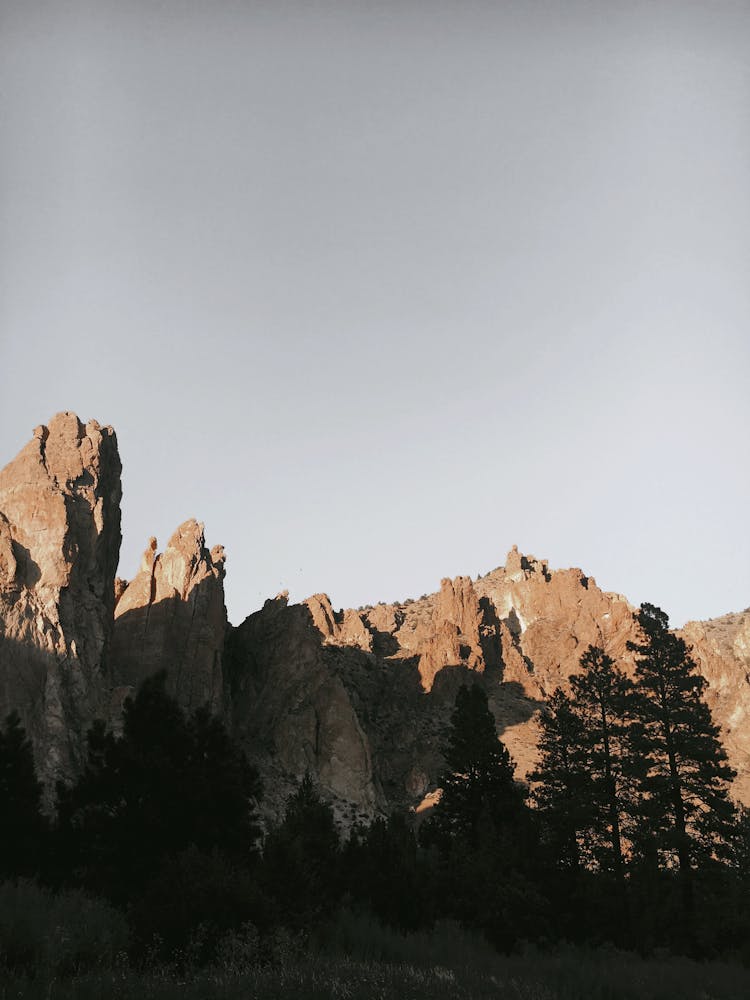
22	826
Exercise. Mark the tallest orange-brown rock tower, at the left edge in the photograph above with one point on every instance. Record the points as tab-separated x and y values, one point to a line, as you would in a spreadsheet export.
59	547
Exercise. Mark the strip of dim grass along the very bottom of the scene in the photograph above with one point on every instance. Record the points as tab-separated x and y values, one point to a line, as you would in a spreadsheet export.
566	974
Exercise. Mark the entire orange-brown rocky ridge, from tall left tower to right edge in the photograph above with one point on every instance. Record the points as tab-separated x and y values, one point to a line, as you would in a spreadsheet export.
360	698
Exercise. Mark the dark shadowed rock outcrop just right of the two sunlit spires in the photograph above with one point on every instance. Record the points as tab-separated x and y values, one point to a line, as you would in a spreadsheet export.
291	707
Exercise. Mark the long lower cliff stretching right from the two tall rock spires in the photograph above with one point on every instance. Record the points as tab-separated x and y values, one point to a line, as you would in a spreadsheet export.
362	698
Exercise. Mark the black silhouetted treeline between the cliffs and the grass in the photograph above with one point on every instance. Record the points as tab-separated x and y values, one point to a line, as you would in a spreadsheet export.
628	835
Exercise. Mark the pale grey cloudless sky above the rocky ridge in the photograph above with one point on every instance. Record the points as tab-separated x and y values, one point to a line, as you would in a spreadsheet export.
376	290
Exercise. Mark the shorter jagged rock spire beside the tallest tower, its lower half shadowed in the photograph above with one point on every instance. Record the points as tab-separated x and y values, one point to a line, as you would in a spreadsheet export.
172	617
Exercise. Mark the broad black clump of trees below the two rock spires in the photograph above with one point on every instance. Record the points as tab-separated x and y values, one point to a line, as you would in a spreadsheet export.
168	783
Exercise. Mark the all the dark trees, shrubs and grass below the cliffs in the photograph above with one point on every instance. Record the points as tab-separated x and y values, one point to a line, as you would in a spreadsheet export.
154	878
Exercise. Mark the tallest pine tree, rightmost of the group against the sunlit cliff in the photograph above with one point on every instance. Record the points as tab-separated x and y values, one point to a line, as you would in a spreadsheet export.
687	811
